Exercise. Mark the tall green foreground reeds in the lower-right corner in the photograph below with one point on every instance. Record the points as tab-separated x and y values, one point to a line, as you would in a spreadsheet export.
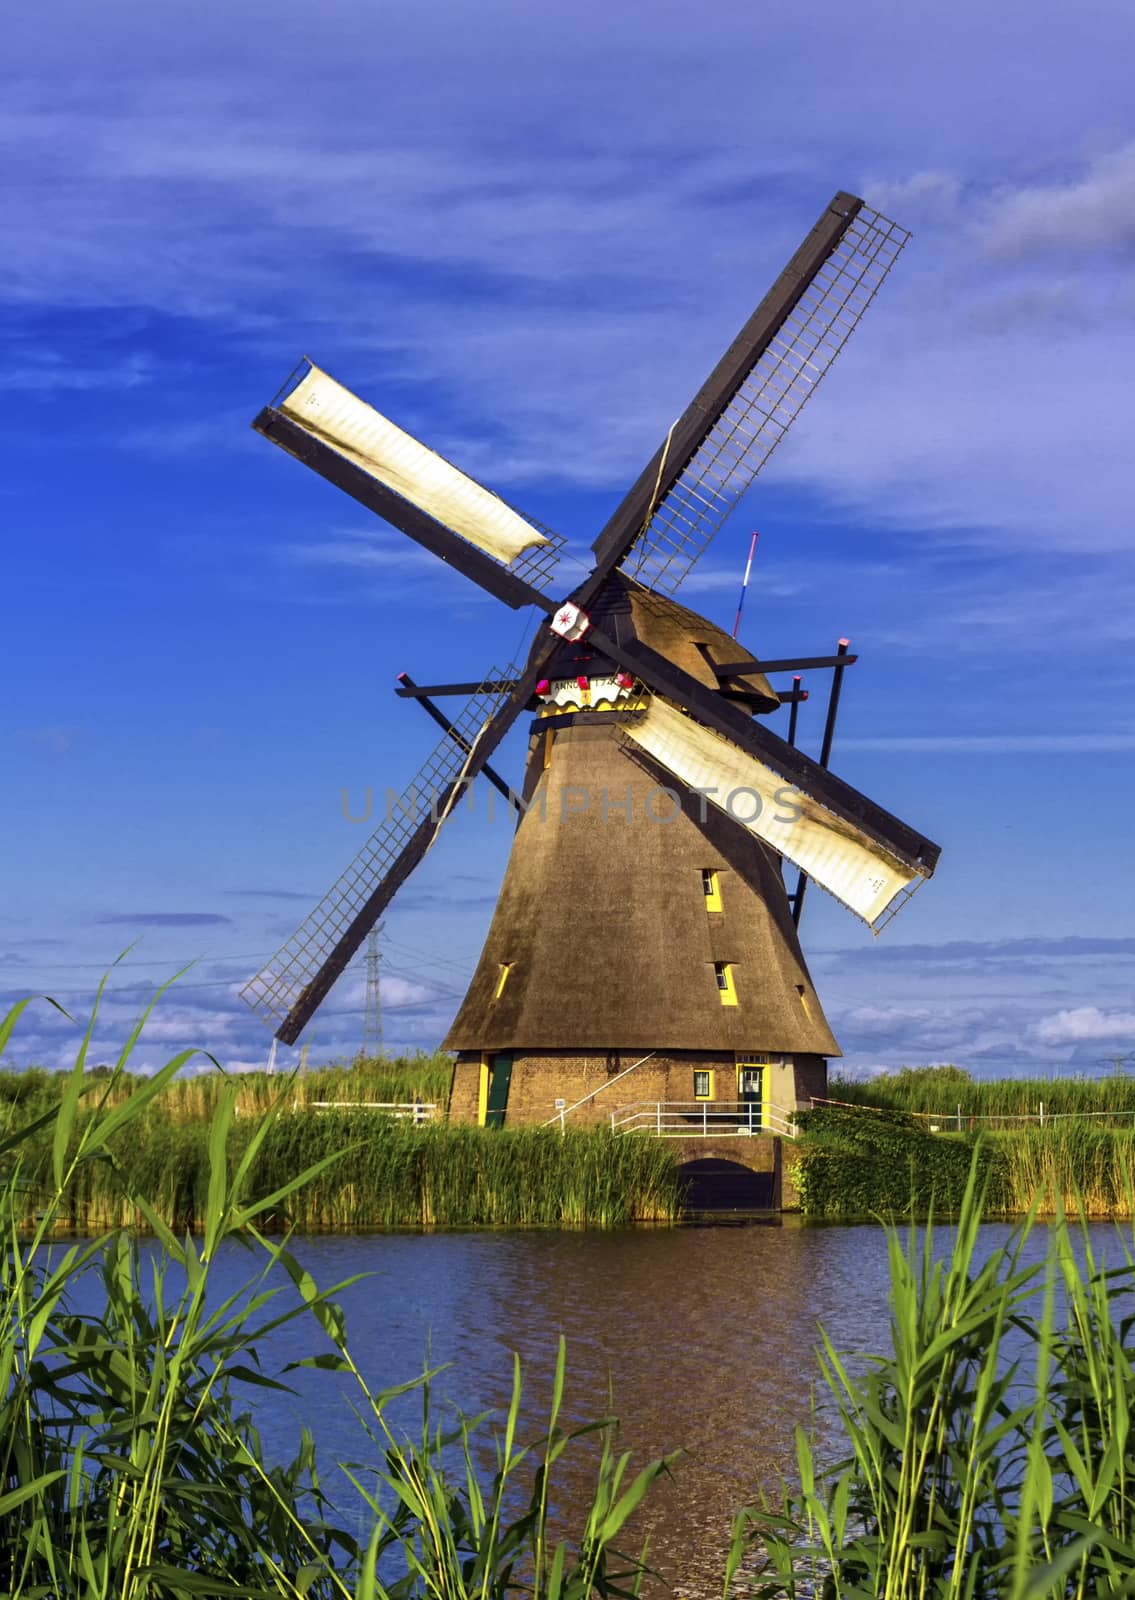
990	1450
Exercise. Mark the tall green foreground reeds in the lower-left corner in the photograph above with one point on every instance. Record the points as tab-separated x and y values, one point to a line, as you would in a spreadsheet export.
130	1471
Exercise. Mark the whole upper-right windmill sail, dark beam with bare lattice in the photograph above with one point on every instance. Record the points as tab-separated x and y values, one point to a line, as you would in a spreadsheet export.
753	396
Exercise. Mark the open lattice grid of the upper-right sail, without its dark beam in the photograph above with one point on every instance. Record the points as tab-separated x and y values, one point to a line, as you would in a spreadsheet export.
768	402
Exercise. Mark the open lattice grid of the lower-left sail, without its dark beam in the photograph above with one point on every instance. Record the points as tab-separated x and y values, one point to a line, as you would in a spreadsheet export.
321	938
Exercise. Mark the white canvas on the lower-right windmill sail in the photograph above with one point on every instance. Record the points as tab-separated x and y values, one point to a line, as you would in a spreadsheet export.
833	852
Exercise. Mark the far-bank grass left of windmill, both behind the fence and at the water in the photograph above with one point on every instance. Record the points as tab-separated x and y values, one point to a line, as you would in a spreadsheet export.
388	1174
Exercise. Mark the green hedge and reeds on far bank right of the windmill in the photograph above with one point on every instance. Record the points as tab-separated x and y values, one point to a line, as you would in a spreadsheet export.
888	1164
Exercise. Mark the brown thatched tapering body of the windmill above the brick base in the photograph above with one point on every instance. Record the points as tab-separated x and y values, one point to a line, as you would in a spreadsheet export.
604	929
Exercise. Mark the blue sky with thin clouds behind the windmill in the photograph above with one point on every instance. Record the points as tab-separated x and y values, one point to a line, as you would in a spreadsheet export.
526	233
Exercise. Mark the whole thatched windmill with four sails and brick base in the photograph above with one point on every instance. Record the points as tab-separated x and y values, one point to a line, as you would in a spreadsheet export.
643	942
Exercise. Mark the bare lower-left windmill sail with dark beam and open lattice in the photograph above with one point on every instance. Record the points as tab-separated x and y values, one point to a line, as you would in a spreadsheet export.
297	980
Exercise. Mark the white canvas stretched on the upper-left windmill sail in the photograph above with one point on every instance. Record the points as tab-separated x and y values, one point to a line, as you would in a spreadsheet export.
329	412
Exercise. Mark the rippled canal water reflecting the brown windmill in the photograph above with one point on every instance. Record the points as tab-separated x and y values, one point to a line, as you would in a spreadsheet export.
700	1340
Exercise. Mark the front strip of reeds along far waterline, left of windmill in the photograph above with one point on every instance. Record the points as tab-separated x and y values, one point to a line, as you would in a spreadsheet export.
374	1174
